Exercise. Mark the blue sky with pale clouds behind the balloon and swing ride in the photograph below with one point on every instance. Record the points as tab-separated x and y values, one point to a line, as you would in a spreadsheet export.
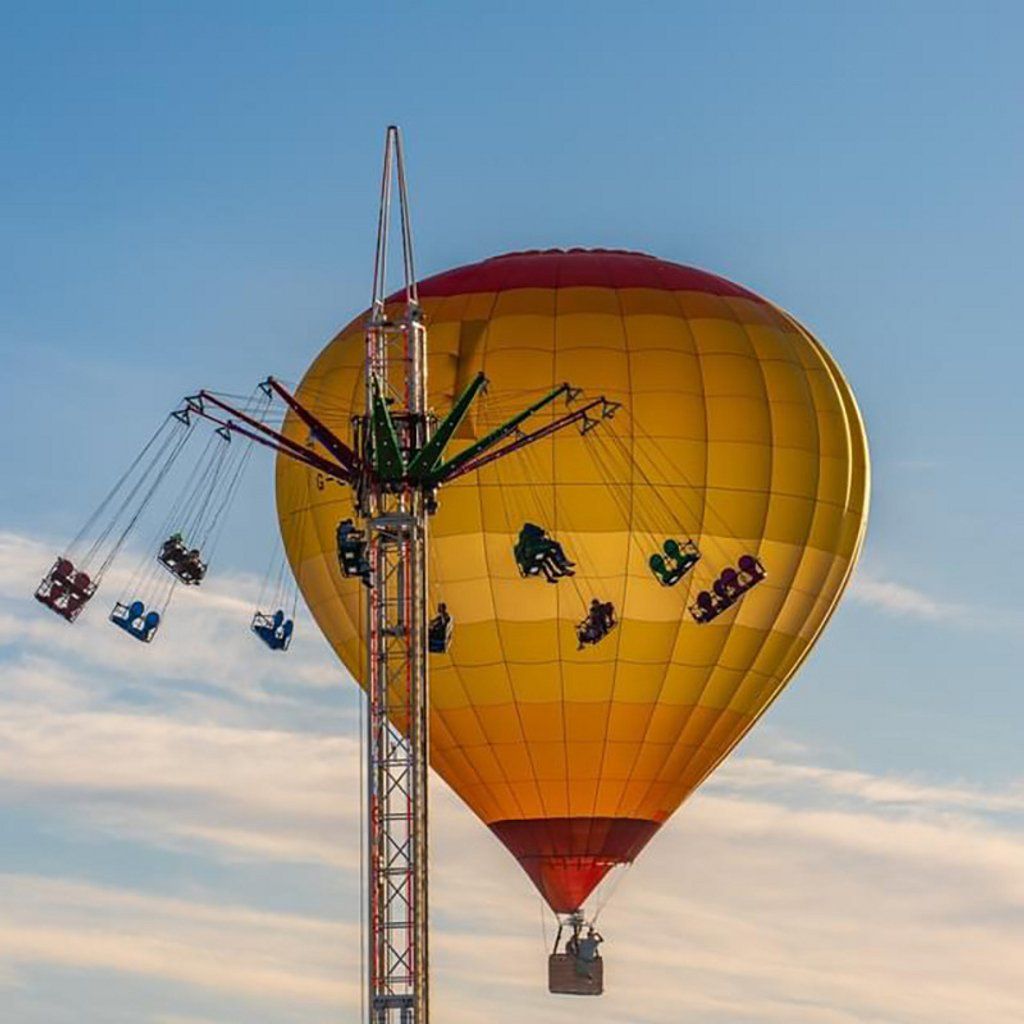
187	199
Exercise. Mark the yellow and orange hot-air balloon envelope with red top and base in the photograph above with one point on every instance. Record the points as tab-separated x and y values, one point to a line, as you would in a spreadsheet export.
737	431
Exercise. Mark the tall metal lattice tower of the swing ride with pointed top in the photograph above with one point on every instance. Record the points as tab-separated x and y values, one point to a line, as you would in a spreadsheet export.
398	742
